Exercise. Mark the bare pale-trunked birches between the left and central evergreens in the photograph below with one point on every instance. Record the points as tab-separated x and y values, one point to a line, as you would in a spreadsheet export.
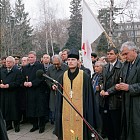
50	31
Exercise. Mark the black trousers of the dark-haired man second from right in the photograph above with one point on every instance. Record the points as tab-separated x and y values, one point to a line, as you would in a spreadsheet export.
111	123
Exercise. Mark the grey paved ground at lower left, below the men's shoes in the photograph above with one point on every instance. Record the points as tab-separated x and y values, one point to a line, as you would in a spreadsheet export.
24	133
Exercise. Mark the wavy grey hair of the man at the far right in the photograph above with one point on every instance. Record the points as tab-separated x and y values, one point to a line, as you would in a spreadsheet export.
130	45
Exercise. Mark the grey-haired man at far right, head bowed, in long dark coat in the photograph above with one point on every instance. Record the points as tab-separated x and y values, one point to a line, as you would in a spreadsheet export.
130	87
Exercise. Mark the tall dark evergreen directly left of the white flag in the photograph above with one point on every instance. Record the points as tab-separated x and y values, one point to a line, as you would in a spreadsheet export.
75	28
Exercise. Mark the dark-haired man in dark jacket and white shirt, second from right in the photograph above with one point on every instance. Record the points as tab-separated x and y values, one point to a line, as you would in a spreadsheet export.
110	100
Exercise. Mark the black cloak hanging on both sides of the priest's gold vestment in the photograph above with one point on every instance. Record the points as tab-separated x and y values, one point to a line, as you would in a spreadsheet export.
88	113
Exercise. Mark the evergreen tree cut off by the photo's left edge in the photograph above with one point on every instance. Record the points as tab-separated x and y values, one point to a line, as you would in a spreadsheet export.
5	27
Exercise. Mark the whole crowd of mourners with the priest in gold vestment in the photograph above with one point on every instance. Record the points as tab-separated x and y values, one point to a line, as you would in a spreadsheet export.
80	105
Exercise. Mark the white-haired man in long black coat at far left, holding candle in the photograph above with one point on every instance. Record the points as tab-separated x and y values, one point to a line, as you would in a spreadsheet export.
10	82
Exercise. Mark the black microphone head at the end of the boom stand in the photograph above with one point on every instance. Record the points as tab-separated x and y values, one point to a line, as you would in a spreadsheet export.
40	74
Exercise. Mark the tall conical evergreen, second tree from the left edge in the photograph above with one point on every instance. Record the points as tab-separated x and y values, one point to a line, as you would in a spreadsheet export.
22	30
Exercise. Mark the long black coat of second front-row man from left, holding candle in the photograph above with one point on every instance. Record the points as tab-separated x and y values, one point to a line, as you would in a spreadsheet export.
36	96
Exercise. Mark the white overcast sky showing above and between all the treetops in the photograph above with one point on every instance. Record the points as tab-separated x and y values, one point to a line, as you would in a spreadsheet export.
62	7
